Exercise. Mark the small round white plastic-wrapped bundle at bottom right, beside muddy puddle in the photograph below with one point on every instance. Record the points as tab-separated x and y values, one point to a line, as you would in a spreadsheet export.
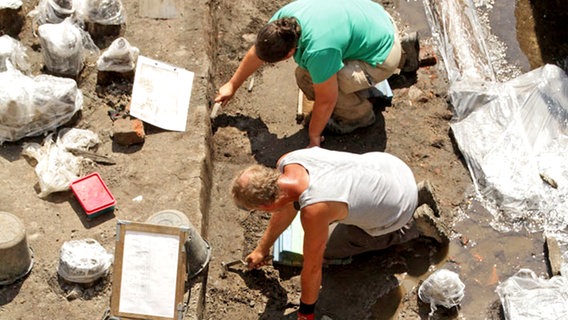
442	288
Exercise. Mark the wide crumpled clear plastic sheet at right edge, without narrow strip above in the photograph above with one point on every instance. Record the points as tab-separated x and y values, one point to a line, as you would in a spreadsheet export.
514	141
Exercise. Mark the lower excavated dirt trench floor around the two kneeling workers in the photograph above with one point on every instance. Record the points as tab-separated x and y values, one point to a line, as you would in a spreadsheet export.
259	126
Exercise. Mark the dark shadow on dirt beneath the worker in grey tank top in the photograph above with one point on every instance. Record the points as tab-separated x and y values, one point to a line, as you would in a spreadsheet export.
376	288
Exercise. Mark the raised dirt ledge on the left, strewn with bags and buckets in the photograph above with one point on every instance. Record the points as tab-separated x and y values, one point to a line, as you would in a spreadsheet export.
162	173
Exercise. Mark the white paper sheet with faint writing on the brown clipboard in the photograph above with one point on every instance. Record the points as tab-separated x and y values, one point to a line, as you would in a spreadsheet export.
149	274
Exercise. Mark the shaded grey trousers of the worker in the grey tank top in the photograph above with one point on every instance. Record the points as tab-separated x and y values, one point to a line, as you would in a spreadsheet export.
347	240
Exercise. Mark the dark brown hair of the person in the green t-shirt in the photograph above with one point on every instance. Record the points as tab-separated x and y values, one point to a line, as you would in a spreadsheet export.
275	40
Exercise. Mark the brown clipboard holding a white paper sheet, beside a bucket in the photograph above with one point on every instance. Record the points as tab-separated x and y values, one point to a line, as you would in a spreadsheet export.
149	272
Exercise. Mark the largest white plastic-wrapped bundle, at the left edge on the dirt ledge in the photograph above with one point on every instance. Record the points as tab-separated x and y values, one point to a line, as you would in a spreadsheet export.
32	106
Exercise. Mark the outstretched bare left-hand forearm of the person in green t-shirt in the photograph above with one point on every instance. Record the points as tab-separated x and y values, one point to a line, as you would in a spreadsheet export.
251	62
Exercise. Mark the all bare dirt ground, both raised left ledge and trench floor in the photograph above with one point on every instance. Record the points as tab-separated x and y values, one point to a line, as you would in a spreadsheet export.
257	126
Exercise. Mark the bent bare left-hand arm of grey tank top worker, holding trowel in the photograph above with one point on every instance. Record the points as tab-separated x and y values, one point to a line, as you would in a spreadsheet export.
279	221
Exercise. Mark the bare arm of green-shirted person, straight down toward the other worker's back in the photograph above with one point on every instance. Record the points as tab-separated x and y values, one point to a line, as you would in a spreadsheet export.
325	100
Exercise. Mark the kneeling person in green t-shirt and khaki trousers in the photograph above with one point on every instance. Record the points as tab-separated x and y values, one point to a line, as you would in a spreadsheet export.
342	49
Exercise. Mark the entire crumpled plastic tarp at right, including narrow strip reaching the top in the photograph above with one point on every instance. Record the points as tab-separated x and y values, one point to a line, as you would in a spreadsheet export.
514	134
